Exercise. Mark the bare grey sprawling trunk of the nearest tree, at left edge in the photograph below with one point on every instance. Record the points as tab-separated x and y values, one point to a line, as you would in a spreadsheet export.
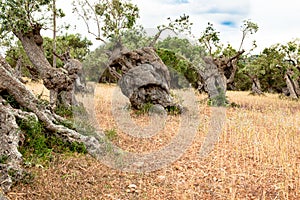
10	135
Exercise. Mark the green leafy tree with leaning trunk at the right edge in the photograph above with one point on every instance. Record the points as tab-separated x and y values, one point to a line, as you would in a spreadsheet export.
276	68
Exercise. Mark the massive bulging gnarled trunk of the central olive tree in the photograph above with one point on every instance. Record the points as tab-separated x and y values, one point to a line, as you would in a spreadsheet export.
143	77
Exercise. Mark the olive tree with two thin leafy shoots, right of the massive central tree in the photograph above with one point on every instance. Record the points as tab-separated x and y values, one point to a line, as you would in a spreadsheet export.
220	67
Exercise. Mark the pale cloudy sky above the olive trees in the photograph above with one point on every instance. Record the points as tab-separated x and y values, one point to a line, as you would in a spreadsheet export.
278	21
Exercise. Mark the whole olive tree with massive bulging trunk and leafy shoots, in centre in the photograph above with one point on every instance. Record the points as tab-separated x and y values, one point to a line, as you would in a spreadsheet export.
141	74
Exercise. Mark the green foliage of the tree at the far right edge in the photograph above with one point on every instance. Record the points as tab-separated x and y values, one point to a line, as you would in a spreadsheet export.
270	66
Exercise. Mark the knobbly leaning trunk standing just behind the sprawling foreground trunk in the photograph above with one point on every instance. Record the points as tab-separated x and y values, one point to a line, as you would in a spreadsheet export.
59	81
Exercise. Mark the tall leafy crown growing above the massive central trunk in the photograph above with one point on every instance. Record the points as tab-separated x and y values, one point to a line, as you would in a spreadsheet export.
116	15
